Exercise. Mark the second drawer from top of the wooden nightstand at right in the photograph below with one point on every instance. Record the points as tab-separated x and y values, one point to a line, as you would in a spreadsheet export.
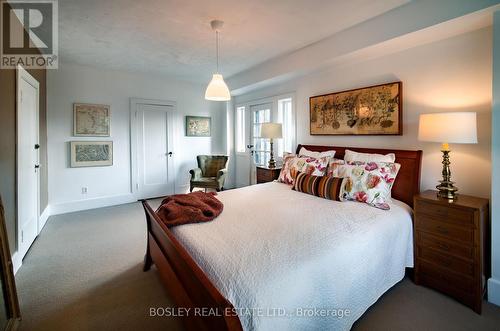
453	232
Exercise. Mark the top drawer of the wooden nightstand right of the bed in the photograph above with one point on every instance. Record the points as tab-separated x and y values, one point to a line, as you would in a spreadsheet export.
446	214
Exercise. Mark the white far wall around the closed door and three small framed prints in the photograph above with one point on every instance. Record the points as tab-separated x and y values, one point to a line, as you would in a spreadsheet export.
111	185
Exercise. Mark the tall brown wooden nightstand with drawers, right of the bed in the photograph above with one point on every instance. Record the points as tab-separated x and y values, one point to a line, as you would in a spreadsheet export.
452	246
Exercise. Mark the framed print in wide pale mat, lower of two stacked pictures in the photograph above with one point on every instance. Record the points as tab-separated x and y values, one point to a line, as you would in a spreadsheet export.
91	153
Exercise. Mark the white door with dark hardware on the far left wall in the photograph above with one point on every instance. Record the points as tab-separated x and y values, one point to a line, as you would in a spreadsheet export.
27	160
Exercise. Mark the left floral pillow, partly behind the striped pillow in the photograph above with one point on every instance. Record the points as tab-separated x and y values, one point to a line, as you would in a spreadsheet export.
293	164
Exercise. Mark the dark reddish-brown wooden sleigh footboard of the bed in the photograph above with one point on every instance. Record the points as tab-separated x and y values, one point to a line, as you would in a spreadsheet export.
185	281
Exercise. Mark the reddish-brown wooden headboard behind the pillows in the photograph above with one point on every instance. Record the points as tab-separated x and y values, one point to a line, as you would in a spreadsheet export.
407	182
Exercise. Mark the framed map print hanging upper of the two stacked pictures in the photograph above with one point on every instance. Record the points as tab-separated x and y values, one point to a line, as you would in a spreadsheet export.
91	120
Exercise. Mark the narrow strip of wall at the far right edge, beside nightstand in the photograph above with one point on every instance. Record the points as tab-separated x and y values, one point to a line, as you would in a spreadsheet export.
494	281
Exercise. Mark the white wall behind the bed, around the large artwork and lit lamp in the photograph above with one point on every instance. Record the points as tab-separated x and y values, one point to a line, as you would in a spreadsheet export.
453	74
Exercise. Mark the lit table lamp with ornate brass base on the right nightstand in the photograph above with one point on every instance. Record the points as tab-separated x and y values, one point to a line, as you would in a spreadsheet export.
452	127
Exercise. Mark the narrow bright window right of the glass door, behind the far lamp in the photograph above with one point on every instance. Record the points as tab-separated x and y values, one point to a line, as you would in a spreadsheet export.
285	117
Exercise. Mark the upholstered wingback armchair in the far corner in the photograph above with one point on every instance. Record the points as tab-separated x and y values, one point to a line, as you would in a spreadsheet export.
211	172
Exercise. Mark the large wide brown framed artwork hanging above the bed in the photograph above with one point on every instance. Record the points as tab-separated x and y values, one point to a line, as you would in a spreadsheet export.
374	110
